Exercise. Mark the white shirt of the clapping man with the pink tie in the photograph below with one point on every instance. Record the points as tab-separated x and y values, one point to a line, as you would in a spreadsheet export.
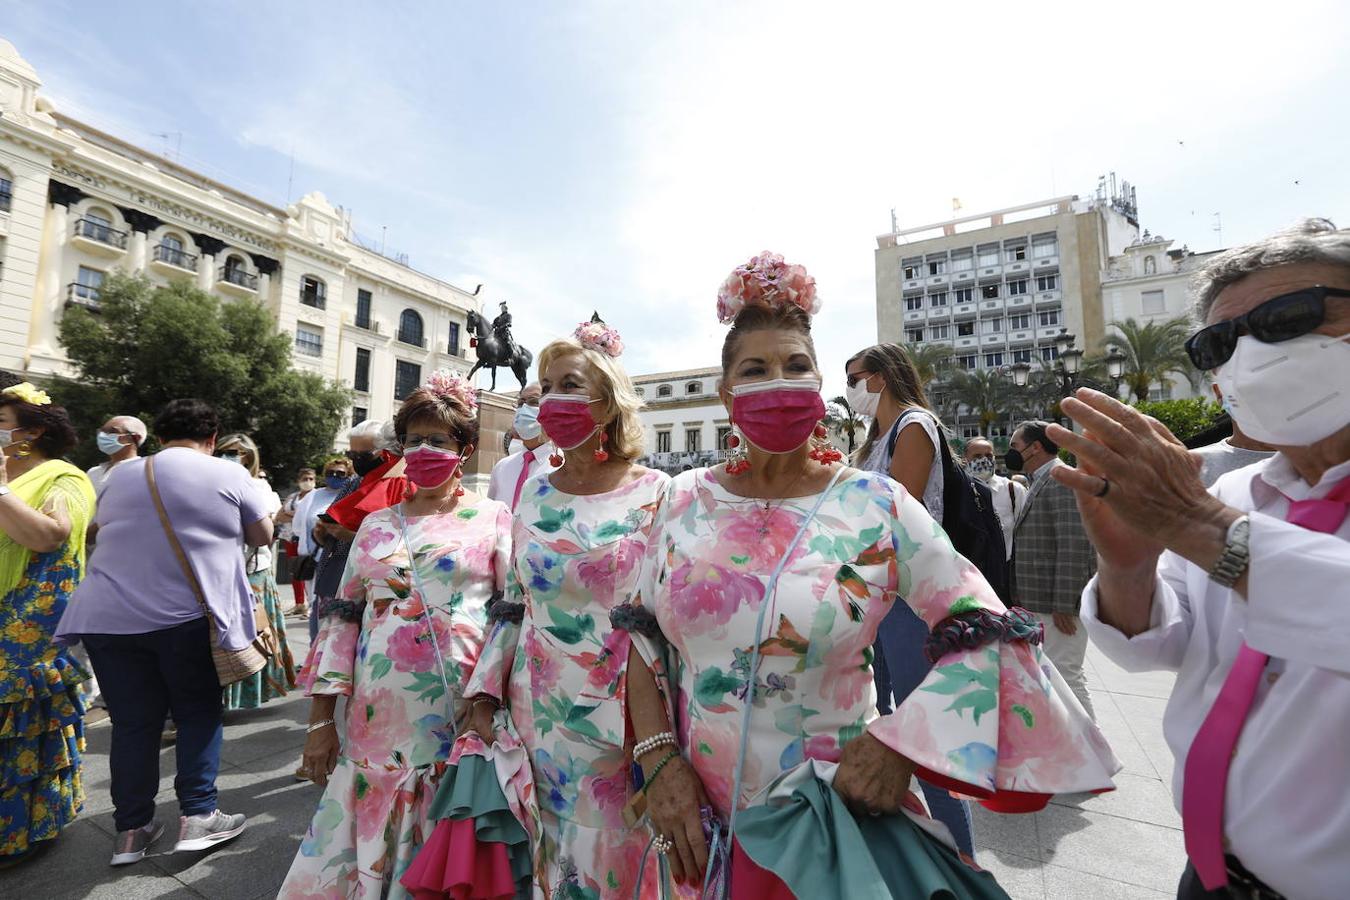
1286	812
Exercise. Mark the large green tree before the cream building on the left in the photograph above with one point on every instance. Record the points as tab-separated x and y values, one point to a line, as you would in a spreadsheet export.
149	345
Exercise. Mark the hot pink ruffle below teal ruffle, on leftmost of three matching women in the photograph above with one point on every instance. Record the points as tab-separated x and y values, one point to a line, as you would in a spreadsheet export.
454	864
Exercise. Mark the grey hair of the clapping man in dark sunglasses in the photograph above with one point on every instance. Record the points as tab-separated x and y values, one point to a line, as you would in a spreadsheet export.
1312	241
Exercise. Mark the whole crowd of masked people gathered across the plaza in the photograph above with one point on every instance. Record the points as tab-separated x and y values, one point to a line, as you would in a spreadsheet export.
597	681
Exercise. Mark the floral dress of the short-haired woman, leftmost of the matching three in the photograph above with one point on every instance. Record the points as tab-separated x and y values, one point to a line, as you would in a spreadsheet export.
400	721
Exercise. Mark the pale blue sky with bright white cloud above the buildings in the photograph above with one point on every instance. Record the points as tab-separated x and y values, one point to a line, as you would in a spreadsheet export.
624	157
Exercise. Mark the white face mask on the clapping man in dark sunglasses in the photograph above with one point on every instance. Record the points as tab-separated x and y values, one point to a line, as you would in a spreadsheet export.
1290	395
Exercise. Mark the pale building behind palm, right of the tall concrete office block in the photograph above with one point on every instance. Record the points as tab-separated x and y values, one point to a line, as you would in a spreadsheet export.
1151	283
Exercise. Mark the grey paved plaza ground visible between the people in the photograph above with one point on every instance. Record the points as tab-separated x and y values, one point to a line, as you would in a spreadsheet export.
1124	845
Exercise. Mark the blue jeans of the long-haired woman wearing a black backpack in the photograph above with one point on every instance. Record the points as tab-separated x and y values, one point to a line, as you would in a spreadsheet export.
900	669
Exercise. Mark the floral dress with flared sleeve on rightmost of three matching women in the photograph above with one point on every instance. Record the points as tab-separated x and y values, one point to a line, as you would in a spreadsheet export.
988	721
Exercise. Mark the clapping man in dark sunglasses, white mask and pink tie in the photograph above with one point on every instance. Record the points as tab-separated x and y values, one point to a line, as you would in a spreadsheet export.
1243	590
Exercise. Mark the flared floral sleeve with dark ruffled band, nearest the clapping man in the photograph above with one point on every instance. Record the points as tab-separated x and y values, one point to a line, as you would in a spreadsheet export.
993	720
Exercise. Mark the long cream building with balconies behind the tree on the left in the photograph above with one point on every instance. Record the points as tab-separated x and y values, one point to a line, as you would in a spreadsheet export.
78	204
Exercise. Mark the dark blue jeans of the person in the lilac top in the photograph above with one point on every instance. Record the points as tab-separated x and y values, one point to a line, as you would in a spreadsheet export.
144	677
